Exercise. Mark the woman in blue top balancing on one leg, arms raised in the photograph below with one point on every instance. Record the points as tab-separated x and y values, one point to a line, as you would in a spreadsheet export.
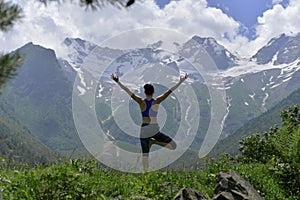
150	131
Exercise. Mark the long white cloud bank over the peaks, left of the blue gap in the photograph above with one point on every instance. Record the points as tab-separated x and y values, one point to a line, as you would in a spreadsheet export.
49	26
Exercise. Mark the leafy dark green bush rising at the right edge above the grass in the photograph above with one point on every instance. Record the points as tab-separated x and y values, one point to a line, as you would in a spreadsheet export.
279	149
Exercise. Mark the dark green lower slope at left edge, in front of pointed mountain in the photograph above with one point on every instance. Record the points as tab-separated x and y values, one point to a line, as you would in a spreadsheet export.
17	144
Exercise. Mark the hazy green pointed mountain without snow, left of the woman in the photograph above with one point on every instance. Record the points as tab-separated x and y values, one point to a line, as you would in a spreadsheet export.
40	95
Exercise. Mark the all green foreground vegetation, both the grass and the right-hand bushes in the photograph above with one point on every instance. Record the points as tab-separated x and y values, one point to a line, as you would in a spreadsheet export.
270	163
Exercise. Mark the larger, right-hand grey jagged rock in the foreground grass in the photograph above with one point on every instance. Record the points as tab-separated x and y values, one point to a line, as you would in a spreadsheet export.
231	186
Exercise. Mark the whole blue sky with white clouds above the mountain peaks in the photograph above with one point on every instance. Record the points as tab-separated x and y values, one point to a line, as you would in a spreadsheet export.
242	26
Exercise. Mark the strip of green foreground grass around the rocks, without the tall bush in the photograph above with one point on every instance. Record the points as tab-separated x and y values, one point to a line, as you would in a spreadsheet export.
84	179
